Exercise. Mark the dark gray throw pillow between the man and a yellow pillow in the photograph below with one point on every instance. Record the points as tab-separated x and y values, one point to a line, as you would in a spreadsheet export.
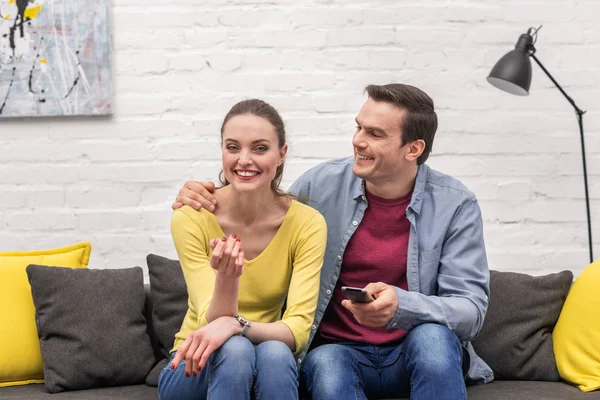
516	338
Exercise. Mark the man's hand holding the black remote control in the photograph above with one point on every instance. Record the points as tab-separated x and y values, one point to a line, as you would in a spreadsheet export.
379	312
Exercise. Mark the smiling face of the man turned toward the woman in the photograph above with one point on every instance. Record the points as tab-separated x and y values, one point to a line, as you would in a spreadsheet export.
378	152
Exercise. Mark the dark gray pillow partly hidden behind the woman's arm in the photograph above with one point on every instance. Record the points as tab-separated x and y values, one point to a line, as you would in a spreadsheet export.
169	299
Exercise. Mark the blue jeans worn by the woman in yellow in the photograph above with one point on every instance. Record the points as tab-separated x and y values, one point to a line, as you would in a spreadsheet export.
234	371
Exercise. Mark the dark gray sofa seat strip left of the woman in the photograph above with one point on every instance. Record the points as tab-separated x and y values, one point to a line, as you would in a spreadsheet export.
39	392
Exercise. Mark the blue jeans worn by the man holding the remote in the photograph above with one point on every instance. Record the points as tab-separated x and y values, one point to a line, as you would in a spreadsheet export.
427	365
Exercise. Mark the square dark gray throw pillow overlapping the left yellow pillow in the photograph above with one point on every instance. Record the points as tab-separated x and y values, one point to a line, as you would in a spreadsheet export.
91	326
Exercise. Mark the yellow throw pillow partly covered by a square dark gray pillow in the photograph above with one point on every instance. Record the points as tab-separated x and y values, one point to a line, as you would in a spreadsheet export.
20	356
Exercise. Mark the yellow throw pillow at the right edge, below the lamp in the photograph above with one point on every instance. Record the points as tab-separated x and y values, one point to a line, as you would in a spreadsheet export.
576	336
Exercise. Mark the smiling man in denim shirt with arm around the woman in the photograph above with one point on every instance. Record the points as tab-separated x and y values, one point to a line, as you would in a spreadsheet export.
414	238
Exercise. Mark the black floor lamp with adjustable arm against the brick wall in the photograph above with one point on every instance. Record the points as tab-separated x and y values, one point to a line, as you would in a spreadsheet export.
512	73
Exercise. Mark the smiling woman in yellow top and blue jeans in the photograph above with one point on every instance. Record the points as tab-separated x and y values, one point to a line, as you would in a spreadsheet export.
257	252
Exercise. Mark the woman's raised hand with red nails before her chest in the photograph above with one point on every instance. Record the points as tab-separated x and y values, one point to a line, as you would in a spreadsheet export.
227	256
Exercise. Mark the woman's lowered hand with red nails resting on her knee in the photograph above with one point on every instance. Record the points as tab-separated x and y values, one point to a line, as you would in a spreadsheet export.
200	344
